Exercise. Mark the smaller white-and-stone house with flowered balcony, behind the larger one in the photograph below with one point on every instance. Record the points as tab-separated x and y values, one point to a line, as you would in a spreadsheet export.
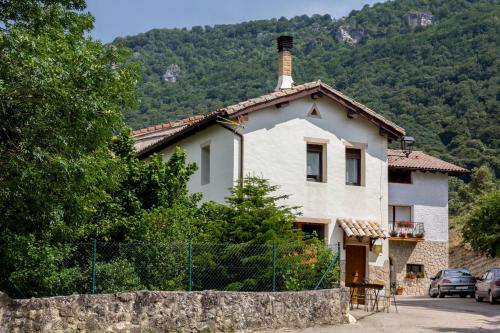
418	194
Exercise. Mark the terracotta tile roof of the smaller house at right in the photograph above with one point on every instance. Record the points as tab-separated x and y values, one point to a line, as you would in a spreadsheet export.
420	161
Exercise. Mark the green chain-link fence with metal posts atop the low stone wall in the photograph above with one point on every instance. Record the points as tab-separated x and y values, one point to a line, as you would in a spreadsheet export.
103	267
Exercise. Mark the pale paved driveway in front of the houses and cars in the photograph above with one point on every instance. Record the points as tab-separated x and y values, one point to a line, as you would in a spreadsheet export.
423	314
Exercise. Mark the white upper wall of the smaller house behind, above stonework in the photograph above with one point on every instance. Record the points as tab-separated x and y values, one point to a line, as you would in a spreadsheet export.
428	197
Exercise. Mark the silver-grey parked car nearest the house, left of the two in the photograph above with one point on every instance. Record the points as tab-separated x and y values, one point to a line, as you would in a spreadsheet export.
453	281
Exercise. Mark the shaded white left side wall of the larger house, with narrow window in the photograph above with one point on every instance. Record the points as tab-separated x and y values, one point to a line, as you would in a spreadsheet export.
224	147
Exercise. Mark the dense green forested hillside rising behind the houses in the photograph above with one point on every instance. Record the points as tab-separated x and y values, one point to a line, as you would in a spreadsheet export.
439	78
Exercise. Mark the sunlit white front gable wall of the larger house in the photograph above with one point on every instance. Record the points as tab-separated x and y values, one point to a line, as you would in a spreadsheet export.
275	148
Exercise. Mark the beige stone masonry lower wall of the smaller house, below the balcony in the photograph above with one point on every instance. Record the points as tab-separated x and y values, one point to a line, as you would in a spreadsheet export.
433	255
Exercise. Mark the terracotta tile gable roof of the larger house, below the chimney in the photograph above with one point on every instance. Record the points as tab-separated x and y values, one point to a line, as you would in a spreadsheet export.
254	104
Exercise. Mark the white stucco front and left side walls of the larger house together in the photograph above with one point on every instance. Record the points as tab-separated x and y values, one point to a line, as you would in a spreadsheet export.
275	141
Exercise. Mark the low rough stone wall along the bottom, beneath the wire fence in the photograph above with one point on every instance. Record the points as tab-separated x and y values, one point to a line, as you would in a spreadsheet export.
208	311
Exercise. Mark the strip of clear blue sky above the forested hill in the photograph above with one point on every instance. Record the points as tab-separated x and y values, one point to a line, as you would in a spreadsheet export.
116	18
